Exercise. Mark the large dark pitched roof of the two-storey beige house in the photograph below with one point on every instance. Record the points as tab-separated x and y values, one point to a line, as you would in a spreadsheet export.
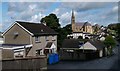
37	28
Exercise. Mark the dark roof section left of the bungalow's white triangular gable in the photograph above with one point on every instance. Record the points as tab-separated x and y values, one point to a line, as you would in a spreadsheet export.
71	43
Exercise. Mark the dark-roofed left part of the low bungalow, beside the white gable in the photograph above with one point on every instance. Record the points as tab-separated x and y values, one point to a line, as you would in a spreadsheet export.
70	50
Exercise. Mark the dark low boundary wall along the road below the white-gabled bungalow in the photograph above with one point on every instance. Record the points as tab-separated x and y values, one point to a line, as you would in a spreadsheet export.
64	55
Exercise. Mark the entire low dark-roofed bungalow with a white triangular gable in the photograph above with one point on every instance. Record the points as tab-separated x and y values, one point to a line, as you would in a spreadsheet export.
76	49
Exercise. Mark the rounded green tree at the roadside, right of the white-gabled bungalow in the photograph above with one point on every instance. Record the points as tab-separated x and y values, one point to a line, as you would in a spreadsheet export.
110	43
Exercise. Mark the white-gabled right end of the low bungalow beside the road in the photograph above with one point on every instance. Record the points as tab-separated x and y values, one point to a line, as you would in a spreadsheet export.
94	46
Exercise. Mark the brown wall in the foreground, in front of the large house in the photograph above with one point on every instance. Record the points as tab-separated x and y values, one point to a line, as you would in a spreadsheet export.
29	63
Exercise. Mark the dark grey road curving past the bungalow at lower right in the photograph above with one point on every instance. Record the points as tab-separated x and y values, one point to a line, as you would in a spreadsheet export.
101	63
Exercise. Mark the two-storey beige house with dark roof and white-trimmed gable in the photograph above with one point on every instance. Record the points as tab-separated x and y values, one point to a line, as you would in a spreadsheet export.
30	39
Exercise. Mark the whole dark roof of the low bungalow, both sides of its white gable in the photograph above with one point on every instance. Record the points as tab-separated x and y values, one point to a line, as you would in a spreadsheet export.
76	43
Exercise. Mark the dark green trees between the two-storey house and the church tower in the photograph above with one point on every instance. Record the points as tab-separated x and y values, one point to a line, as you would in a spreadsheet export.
53	22
